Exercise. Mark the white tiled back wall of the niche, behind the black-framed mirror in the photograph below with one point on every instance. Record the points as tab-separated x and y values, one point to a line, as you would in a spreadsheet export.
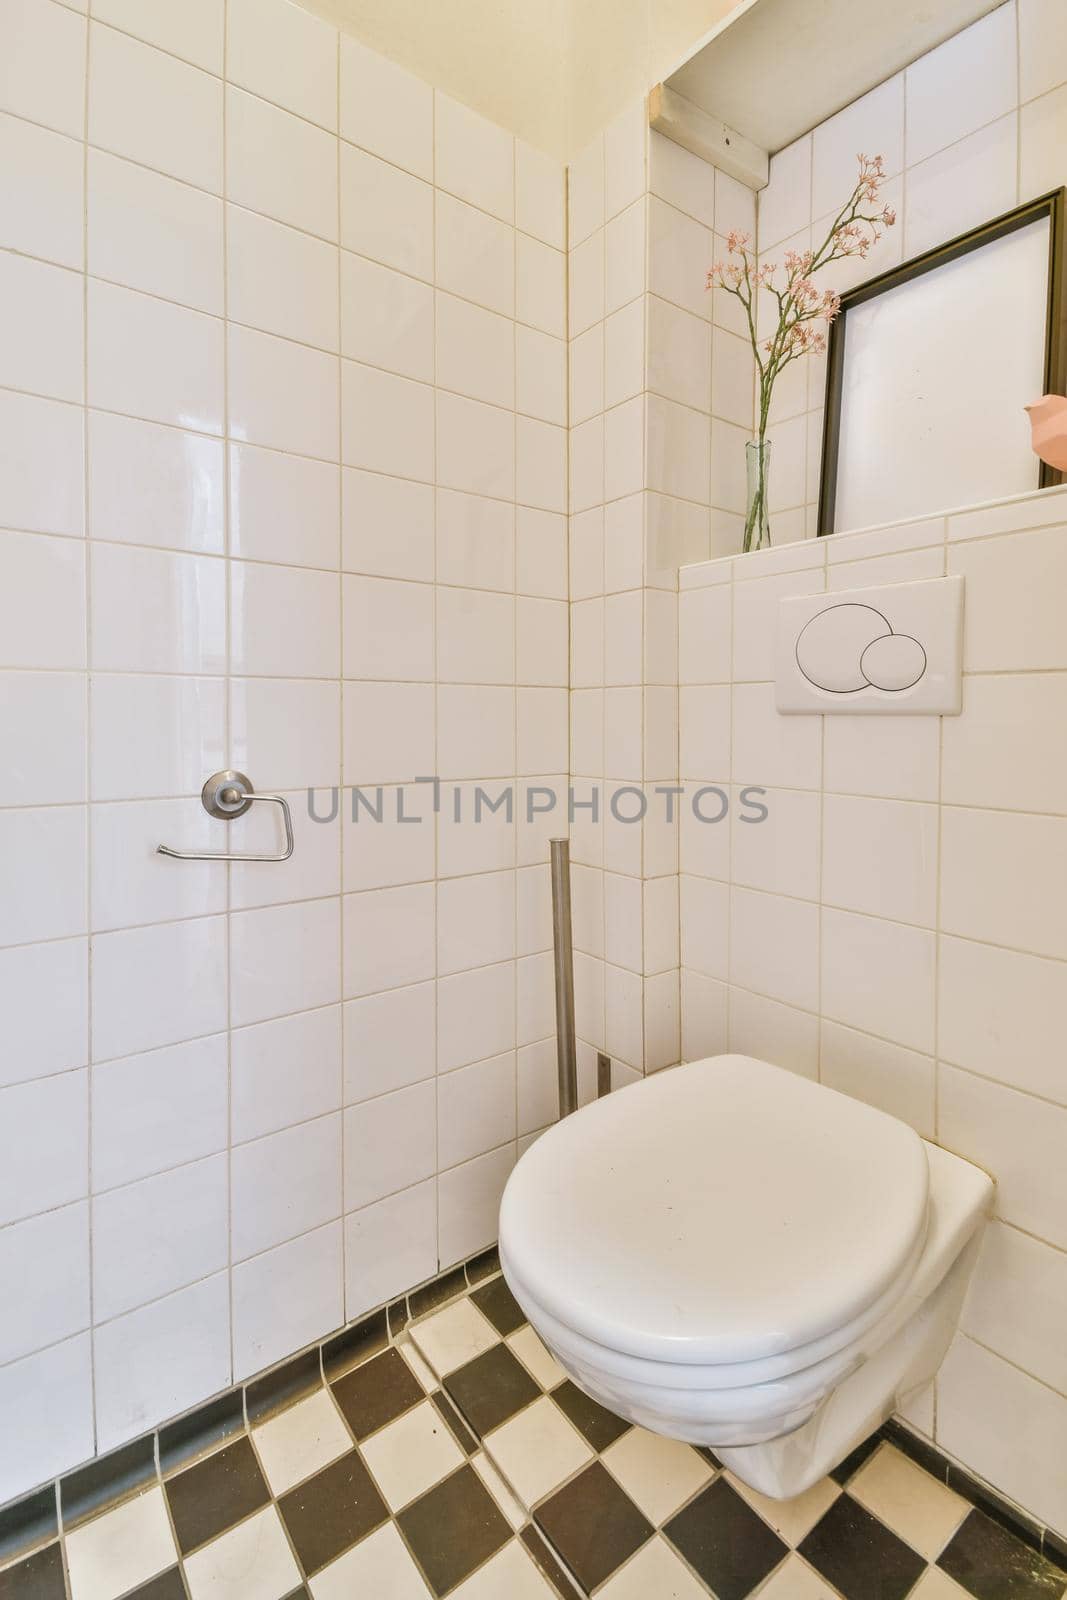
969	132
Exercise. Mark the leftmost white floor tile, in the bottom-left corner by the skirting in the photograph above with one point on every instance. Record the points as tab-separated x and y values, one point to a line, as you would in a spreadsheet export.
124	1548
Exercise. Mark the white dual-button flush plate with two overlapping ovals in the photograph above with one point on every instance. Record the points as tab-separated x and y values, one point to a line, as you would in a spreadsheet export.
890	650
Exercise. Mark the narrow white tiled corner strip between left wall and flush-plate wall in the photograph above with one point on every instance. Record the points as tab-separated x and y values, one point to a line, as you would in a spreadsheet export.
660	393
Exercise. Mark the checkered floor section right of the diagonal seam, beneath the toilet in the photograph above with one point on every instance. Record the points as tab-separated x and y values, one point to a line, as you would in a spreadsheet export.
633	1516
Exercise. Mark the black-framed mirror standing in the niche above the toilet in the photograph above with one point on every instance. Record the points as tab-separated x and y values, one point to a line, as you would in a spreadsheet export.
930	366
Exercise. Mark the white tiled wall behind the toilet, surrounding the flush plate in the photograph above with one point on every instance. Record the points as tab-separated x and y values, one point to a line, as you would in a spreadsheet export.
897	927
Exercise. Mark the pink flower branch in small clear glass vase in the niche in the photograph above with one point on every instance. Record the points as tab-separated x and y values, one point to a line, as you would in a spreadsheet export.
804	311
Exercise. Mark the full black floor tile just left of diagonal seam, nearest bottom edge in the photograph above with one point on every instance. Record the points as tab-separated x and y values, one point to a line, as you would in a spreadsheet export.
454	1529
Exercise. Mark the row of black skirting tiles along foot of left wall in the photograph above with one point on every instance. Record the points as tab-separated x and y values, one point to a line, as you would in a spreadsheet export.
62	1505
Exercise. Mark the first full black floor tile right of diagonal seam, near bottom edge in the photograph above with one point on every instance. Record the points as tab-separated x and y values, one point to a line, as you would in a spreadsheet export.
593	1526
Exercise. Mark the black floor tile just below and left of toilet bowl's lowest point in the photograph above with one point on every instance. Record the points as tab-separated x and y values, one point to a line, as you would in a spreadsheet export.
725	1542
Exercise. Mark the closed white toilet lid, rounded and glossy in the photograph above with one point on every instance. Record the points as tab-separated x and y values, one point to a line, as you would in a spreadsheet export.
721	1212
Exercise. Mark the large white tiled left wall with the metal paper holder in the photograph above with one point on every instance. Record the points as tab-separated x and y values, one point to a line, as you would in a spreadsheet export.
282	487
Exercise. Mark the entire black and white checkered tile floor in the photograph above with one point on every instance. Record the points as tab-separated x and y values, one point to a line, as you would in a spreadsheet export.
462	1462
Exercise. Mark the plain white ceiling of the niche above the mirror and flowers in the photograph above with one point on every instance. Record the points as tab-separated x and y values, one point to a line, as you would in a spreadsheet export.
777	68
